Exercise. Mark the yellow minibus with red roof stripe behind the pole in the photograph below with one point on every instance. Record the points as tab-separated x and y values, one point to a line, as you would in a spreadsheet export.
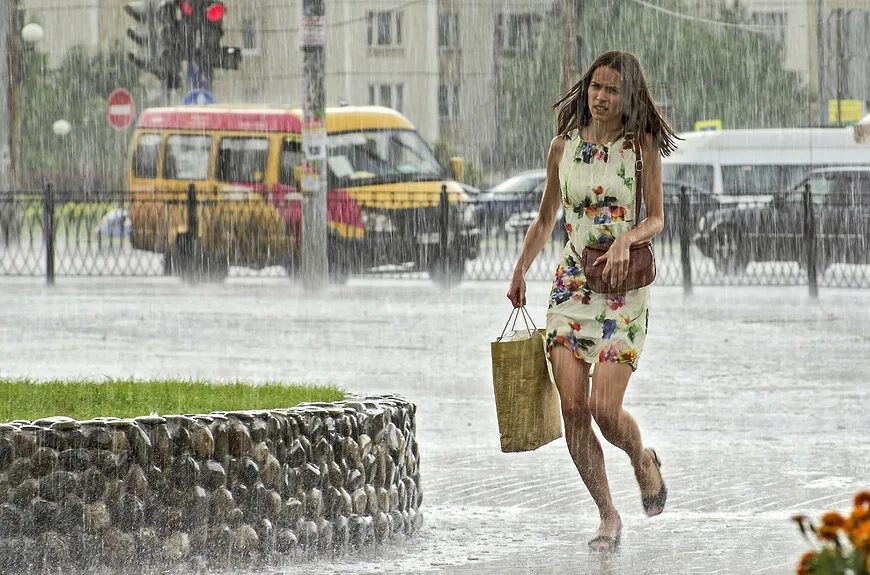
237	167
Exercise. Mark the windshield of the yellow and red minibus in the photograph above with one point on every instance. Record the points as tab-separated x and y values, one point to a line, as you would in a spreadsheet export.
380	156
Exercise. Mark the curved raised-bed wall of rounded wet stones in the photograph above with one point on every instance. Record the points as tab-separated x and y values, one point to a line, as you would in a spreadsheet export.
207	489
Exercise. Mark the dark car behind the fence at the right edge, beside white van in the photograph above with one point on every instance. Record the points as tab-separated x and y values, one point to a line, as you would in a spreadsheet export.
775	231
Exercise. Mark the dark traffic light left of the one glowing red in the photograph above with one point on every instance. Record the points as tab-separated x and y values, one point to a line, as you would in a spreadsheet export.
157	36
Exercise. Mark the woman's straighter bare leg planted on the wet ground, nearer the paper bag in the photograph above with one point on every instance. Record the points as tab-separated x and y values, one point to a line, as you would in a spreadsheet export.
572	380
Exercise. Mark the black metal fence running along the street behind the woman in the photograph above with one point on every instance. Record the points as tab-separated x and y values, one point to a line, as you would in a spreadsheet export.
50	233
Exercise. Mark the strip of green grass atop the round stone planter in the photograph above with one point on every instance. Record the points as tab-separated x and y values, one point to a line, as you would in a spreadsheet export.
85	399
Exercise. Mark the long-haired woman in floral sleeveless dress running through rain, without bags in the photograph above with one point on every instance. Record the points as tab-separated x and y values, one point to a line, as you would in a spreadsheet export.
605	123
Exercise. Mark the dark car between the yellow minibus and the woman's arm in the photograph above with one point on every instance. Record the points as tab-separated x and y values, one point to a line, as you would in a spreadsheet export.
519	193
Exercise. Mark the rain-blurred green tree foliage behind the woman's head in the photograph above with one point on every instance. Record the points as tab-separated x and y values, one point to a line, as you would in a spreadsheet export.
696	71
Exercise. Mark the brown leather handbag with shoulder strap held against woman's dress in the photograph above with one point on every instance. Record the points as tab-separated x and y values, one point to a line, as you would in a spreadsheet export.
642	260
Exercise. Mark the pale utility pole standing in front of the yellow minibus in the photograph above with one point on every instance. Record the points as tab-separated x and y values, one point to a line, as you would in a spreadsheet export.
314	266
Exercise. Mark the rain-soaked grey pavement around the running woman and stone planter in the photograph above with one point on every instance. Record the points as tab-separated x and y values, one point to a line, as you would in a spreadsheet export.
755	399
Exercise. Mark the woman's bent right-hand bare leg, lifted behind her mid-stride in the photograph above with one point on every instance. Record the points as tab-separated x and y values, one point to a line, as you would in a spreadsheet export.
609	382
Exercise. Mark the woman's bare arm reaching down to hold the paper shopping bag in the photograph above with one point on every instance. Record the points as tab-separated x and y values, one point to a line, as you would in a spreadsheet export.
542	226
